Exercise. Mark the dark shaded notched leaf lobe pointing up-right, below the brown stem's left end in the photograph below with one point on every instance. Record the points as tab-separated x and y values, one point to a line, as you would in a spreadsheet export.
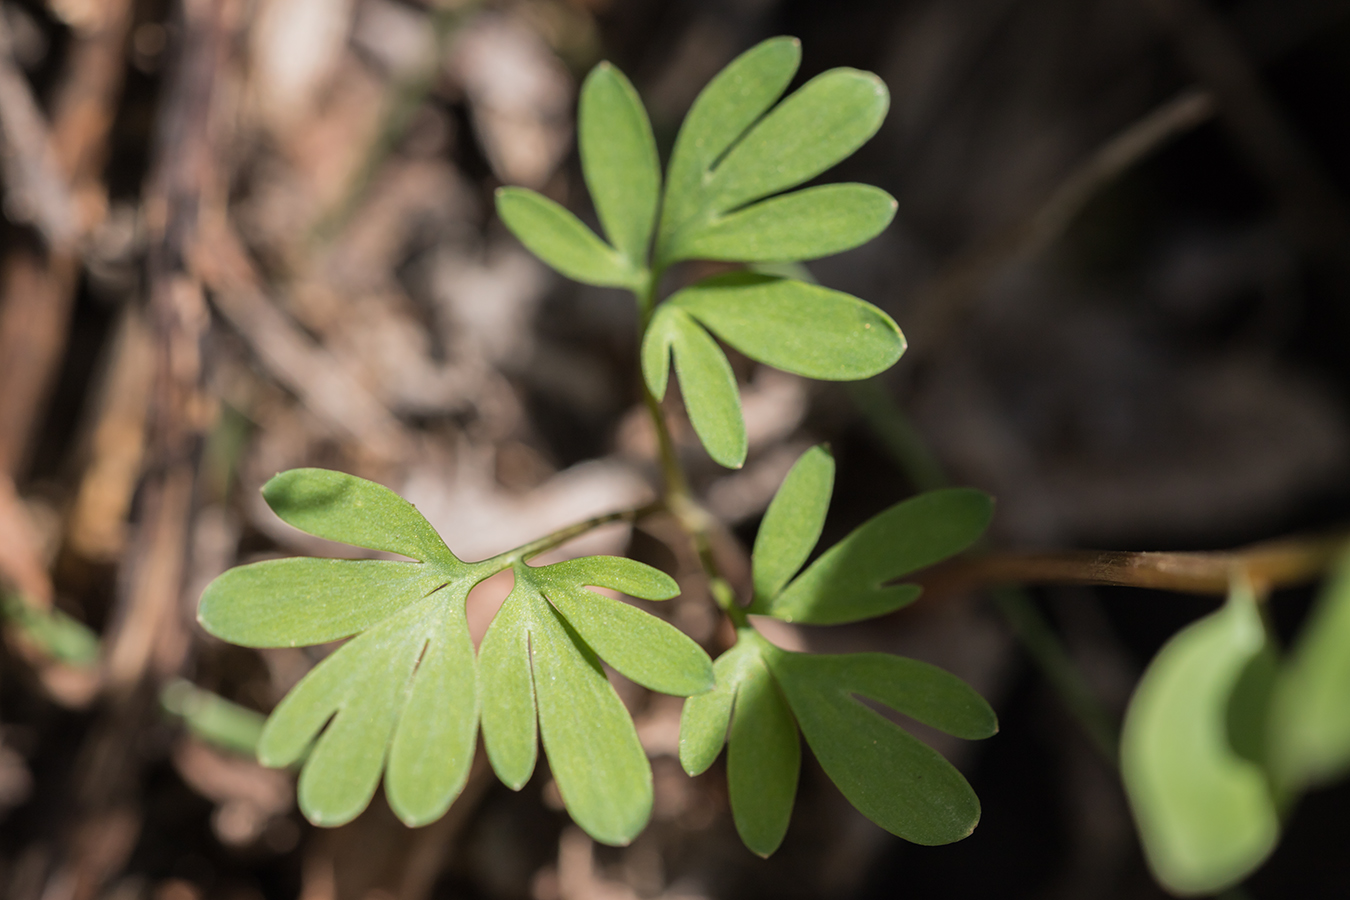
850	581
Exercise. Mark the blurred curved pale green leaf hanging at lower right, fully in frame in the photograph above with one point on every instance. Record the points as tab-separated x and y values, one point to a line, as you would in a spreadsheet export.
1206	814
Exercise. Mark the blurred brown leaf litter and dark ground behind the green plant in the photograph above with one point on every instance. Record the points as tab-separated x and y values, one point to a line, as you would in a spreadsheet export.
246	235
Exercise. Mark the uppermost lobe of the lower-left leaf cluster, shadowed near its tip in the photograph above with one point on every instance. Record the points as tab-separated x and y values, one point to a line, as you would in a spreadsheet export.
344	508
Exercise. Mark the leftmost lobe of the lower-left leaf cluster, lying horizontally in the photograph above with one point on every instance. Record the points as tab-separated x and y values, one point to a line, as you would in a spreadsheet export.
303	601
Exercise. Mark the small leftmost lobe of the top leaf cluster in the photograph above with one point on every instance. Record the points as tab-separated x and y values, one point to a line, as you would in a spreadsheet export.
562	241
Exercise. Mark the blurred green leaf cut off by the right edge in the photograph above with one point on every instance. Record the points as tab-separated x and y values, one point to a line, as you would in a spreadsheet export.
1310	735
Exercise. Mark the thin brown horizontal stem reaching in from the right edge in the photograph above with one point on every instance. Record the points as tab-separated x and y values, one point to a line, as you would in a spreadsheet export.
1270	566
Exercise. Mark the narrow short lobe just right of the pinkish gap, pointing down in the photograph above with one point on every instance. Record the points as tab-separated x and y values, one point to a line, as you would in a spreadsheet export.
508	692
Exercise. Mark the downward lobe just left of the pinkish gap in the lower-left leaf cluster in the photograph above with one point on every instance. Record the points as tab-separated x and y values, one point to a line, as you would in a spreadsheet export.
437	735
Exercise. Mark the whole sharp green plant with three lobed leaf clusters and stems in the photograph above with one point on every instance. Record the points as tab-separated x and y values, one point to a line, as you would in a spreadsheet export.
406	697
